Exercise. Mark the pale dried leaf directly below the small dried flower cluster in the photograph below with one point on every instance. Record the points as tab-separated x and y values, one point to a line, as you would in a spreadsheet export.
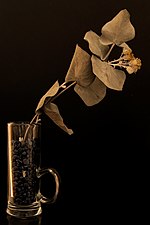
112	78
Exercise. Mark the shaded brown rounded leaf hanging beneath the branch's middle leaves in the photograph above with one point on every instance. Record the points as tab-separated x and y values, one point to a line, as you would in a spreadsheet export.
92	94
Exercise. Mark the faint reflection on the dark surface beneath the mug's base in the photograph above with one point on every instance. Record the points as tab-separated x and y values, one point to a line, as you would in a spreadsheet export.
29	221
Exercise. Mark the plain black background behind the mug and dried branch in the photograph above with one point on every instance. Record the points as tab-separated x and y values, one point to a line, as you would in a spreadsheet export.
103	166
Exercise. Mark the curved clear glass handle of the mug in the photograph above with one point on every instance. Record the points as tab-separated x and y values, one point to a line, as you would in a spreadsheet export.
55	174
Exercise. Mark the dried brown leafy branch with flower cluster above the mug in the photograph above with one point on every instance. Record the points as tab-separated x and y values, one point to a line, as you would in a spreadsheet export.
91	75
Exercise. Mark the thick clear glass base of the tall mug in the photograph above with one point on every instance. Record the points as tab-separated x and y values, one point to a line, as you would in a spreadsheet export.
24	211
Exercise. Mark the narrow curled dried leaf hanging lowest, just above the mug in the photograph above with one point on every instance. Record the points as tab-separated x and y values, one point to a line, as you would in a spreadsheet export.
51	110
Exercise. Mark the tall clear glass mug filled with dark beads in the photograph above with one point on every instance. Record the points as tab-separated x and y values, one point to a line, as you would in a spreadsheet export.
24	158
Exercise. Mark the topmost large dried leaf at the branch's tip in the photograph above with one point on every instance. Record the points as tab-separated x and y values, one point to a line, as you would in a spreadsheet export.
118	30
